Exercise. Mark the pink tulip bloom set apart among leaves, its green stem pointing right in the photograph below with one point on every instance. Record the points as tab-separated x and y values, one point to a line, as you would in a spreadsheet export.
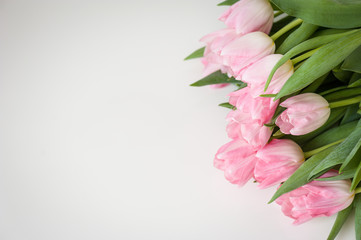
304	114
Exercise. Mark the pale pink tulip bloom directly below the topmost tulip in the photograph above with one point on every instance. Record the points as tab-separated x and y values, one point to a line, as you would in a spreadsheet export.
242	52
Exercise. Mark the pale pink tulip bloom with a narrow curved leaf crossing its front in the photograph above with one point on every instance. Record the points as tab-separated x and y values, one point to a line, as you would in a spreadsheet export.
257	74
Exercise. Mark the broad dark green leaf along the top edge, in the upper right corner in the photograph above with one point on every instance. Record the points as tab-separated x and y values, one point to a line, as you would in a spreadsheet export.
325	13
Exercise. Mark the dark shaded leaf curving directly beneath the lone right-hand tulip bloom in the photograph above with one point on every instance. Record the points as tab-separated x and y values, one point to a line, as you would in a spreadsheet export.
335	116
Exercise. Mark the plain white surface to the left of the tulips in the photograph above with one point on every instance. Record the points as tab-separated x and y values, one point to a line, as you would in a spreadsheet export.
102	138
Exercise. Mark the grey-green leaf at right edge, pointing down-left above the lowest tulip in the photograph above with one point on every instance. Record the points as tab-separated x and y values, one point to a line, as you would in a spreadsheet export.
340	153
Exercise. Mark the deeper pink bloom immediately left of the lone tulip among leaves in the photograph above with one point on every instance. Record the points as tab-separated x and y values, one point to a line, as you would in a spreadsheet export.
260	109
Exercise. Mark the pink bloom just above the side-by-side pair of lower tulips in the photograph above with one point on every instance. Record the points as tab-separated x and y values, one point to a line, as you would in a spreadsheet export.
240	125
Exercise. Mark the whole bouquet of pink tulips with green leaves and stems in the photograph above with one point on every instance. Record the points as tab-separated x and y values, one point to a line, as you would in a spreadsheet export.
295	108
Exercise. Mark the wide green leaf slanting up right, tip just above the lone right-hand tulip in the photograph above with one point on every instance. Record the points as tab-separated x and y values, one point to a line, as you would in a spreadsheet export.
321	62
